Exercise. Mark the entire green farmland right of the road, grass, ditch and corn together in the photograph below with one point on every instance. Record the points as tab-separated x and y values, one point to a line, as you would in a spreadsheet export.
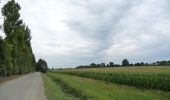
121	83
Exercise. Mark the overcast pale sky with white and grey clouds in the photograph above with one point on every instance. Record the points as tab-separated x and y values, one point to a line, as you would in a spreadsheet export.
67	33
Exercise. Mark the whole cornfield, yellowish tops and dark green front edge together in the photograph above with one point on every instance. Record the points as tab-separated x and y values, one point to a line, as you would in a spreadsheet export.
141	77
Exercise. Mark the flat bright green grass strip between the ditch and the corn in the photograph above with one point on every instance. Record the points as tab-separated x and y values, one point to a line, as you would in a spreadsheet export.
101	90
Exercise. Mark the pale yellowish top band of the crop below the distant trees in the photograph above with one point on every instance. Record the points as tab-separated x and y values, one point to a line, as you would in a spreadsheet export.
134	69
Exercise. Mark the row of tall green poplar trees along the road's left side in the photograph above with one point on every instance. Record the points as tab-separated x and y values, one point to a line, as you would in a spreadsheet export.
16	55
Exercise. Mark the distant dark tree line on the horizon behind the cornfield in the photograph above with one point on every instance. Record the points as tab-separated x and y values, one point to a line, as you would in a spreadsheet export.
125	63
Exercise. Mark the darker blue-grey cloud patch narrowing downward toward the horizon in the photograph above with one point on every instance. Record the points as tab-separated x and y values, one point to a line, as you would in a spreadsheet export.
100	21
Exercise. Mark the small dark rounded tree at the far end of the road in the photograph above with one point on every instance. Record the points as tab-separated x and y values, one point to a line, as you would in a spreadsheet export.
41	66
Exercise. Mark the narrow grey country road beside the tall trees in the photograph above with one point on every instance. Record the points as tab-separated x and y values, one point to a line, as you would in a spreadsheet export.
28	87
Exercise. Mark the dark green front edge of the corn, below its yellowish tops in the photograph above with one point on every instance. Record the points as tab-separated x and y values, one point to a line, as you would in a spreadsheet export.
160	81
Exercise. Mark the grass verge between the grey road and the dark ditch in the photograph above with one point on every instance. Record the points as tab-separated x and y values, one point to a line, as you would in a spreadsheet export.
53	90
